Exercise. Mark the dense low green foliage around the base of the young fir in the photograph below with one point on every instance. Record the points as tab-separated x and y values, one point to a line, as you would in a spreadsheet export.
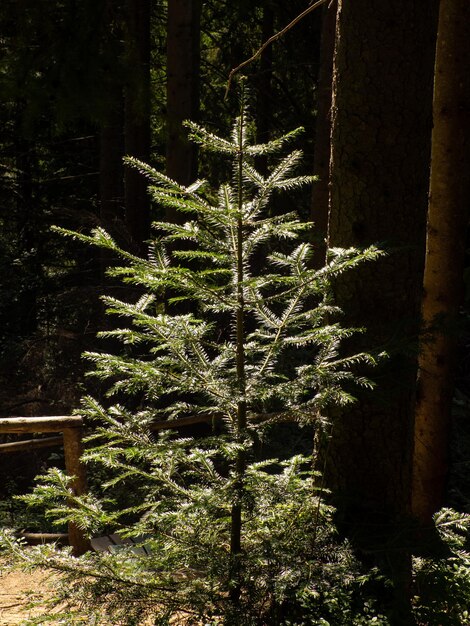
298	571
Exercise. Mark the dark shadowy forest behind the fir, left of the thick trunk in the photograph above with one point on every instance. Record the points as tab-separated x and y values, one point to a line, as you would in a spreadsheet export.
84	84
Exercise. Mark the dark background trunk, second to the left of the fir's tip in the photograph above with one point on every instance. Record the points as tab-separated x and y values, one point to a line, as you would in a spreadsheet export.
137	120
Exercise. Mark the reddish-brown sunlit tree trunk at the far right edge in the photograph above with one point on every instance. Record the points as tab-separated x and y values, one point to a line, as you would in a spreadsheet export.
443	277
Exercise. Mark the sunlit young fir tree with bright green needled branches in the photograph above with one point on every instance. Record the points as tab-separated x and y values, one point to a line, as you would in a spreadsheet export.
230	539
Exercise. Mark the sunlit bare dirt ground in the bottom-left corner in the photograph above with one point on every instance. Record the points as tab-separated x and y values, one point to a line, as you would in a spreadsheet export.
16	588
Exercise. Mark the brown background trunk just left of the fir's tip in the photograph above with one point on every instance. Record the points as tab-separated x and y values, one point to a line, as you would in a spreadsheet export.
182	89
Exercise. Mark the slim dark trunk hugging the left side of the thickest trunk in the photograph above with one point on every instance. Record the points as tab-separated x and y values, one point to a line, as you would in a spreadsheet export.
321	157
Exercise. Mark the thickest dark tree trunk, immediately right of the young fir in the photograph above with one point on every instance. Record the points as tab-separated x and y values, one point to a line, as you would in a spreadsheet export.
379	168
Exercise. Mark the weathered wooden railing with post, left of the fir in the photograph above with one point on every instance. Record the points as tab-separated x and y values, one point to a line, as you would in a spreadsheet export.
71	428
